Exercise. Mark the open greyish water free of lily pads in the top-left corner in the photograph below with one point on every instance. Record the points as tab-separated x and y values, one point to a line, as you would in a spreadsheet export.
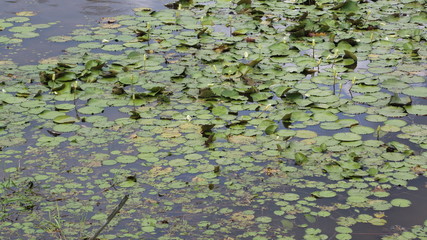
67	15
